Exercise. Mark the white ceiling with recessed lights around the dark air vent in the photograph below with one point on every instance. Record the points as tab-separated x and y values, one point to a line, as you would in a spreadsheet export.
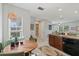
56	12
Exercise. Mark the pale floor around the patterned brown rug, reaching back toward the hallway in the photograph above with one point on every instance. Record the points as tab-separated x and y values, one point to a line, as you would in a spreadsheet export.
42	43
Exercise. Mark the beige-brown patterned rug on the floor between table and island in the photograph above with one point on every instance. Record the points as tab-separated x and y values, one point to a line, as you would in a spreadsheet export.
49	51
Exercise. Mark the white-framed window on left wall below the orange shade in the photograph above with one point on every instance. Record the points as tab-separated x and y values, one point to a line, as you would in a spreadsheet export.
15	28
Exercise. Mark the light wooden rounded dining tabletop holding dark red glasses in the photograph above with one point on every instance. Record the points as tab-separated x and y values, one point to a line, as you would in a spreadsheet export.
25	47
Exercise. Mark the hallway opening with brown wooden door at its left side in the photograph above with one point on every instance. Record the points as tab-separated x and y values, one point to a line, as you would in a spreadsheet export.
40	30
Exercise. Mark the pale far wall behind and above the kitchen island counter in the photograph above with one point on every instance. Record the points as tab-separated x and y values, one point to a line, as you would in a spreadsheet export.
57	27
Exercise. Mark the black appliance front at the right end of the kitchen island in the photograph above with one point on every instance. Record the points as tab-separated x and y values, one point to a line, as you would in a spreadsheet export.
71	46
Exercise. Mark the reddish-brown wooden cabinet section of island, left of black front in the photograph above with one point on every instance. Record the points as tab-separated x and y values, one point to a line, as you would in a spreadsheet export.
56	41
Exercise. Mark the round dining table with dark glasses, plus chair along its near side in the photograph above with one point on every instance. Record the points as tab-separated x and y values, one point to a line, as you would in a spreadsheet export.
19	48
